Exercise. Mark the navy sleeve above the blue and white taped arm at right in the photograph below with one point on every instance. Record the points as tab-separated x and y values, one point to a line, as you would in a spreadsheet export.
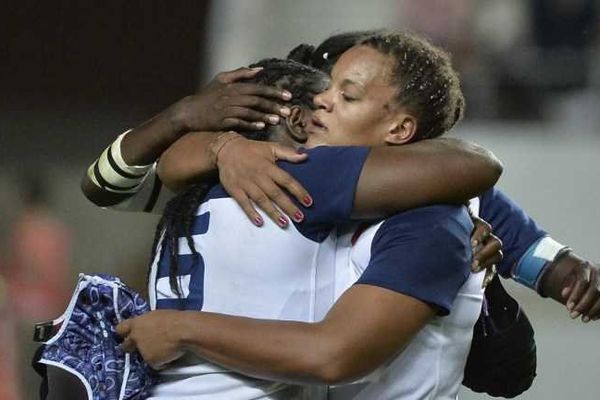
517	230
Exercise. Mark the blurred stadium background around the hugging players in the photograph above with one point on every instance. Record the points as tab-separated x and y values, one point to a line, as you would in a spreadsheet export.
75	74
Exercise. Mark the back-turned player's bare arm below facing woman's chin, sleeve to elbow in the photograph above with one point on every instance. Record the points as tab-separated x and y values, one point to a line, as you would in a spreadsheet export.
433	171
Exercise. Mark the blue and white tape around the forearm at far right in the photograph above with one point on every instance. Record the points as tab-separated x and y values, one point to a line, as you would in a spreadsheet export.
530	267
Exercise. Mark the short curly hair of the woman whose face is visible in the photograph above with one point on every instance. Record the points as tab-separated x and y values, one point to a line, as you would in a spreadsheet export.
428	85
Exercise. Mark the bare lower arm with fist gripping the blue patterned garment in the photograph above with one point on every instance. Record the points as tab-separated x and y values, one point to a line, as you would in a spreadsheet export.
366	327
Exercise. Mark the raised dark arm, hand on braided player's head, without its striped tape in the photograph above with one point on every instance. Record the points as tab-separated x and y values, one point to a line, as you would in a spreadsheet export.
225	103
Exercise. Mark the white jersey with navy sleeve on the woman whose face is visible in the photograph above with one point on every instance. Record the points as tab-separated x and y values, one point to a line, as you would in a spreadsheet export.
431	366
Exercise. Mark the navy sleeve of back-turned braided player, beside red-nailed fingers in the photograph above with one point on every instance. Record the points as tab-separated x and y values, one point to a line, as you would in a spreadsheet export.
330	176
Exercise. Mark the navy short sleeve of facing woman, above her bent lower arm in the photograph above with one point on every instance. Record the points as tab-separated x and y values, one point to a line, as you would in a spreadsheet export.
424	253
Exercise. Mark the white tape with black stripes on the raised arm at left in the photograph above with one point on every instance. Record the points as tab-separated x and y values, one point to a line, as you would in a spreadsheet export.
112	173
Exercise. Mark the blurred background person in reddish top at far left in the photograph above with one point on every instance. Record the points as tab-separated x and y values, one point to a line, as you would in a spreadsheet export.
38	269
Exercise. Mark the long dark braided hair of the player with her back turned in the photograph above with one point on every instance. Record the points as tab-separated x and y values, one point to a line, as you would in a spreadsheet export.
178	217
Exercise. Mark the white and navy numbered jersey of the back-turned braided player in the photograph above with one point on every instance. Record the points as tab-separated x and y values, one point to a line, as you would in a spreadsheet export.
264	272
